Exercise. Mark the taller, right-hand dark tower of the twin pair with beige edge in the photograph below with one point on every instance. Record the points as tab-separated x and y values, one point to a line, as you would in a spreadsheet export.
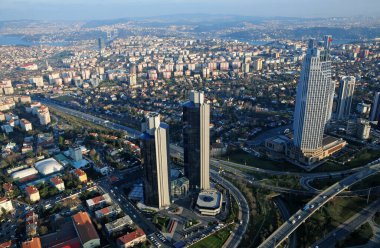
196	141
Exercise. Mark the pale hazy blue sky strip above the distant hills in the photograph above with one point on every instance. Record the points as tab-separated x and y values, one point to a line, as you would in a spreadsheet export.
109	9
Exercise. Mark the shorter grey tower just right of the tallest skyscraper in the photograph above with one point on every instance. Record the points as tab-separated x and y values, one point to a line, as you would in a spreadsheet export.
346	92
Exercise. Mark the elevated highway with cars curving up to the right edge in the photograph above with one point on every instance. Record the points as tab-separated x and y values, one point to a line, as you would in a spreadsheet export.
317	202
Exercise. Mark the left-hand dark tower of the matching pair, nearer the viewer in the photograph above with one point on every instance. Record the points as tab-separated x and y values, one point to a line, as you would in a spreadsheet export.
155	155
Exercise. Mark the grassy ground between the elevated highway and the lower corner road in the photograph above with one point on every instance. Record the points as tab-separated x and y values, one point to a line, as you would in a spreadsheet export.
328	218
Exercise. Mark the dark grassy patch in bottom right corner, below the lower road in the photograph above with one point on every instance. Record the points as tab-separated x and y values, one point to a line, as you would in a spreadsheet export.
360	236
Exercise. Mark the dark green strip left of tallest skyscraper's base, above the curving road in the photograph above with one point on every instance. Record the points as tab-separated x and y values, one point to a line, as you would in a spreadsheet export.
242	157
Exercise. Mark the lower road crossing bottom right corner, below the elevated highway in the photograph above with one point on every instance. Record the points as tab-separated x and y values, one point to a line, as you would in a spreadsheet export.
348	226
